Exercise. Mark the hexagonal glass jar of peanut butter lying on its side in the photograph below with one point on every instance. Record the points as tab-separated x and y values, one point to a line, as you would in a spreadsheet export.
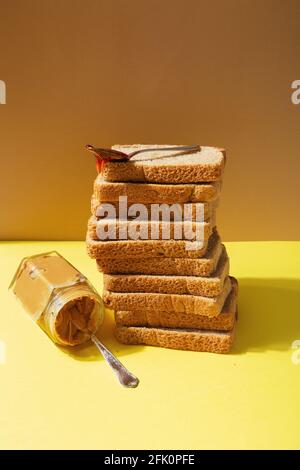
58	298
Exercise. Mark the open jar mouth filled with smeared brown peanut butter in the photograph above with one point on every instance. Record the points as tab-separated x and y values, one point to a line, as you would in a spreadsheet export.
77	321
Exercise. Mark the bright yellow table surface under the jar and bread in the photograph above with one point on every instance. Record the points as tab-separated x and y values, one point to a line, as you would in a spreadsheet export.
250	398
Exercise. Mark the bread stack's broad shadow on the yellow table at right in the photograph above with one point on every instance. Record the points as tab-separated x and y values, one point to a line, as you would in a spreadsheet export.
269	315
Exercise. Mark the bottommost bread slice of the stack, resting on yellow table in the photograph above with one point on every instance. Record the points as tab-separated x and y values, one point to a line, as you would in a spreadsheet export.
188	340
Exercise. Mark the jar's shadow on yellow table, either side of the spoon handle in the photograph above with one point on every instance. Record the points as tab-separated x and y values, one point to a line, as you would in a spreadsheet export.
89	352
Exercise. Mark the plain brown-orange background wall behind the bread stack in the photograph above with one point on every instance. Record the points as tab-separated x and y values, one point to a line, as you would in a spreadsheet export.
103	72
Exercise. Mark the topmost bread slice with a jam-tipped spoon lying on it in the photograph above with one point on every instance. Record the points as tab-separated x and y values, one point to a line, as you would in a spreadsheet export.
162	166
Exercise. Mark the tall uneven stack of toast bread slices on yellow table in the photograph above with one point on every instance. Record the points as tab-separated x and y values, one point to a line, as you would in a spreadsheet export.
166	290
